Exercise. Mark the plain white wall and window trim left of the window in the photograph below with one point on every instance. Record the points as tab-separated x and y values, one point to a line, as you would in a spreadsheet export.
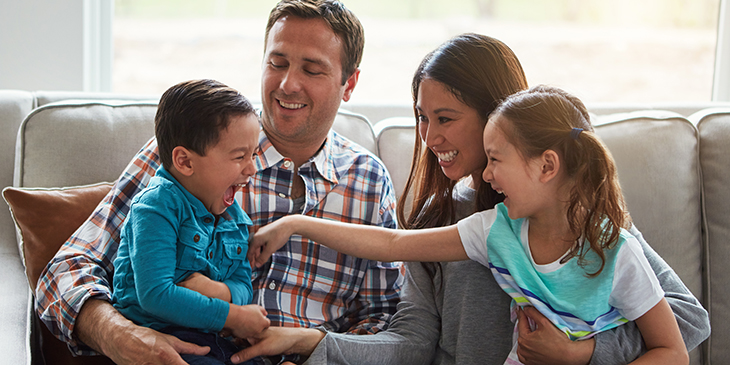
55	45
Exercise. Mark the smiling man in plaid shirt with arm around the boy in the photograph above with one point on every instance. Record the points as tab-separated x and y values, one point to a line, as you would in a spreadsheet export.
312	53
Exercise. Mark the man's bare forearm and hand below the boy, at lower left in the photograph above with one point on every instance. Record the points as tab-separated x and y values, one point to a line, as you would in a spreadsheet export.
104	329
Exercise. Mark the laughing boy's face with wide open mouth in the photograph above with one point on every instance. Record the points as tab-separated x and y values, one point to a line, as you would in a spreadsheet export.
227	165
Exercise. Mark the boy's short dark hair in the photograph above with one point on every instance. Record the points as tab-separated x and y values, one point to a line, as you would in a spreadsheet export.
192	114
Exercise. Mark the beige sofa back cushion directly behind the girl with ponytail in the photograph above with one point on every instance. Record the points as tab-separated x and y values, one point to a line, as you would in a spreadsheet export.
657	156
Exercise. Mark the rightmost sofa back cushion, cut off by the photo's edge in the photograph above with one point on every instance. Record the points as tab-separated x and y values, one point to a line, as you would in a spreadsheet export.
714	129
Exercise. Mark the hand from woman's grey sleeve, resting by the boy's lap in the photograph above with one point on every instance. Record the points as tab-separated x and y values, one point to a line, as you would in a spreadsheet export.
280	341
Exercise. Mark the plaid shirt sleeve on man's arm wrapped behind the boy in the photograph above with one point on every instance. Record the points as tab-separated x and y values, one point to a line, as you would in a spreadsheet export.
83	267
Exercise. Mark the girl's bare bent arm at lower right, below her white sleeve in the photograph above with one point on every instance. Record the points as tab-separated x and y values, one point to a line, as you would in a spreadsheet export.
661	335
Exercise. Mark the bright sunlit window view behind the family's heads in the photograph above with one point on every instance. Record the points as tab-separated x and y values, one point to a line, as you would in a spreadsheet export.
603	51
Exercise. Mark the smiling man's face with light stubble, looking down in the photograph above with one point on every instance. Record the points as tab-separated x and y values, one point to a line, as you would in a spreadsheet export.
301	85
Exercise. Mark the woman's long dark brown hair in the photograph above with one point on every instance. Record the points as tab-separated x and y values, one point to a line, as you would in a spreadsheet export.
480	71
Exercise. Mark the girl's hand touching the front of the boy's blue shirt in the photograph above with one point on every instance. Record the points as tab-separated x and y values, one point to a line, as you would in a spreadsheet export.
268	239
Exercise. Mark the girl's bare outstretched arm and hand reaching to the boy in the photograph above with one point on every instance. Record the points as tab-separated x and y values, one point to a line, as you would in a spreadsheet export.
359	240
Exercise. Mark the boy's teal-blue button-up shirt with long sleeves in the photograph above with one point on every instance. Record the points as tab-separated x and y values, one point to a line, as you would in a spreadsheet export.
169	235
